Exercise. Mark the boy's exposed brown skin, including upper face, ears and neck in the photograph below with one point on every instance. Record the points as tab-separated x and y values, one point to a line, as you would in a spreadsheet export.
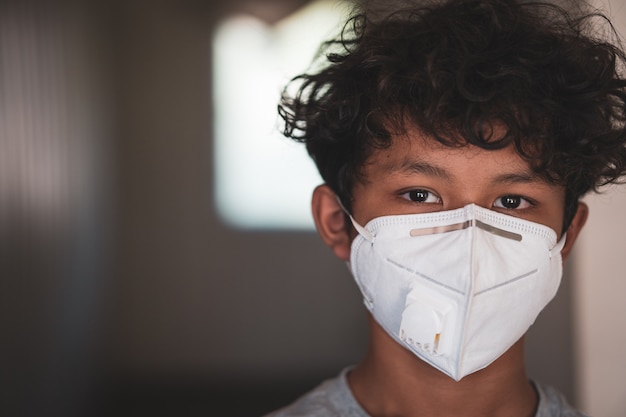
416	174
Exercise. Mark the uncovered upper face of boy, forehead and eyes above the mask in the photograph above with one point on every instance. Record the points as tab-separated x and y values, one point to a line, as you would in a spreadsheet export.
417	174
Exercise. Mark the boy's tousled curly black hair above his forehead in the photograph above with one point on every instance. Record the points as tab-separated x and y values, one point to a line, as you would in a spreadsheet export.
549	77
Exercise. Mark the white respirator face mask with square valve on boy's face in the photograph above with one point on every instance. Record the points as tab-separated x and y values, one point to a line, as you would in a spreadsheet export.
457	288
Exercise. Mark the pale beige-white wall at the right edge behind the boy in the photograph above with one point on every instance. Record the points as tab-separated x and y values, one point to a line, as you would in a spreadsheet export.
600	286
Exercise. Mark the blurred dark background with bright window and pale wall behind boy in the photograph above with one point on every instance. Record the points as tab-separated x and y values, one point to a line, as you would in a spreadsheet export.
154	258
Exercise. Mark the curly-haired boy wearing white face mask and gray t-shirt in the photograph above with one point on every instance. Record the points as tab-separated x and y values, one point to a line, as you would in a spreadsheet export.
455	140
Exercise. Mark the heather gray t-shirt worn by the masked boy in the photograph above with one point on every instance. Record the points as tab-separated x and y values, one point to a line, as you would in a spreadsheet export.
333	398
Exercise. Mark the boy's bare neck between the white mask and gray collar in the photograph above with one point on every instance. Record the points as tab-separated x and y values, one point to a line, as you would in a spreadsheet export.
391	381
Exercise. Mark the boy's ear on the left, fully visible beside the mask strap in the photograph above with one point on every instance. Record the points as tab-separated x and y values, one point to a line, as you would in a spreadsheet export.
330	221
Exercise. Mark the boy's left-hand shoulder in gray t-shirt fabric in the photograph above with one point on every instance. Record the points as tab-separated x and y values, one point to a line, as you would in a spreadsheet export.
332	398
